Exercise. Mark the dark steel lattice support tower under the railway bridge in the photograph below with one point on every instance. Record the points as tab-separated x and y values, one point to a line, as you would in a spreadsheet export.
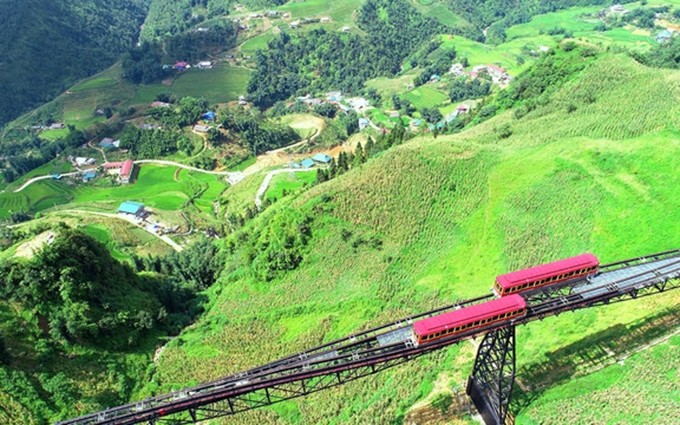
493	376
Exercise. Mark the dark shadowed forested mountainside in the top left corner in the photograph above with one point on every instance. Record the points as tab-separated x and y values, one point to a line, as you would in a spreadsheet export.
48	46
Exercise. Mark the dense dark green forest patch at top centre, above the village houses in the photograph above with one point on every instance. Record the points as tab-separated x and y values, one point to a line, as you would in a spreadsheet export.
322	60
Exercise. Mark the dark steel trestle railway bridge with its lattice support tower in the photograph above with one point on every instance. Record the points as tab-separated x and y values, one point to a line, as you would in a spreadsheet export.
377	349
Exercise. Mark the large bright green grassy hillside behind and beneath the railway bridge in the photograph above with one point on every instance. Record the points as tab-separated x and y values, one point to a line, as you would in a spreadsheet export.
452	213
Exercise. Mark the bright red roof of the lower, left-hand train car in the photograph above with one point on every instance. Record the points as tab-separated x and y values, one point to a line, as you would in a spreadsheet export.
469	314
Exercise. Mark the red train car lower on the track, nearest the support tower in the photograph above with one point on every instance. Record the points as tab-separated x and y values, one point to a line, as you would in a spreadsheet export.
465	319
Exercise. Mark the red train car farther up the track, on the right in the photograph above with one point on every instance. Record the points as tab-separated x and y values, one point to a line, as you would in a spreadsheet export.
546	274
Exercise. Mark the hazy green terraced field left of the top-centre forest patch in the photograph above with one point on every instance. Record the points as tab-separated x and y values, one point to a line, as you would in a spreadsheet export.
221	84
